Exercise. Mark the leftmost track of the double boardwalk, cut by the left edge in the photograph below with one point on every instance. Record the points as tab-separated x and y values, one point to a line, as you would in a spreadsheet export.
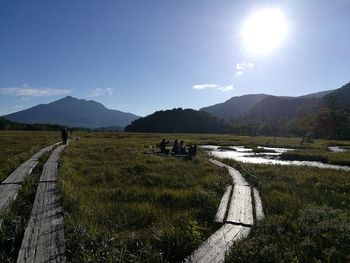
10	186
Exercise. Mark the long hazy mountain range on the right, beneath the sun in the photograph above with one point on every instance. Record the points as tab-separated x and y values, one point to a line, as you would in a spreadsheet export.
267	107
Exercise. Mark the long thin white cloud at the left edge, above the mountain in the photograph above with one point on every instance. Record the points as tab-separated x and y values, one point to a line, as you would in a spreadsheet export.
33	92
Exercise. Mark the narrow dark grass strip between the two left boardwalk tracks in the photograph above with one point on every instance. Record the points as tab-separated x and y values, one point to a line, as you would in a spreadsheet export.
14	220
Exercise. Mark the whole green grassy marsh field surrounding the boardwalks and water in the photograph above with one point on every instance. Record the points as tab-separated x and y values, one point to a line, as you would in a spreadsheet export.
121	205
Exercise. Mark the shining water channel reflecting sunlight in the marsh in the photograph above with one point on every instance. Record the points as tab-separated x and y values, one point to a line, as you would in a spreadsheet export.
265	155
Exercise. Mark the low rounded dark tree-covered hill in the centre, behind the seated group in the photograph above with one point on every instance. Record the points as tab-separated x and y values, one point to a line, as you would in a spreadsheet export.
178	121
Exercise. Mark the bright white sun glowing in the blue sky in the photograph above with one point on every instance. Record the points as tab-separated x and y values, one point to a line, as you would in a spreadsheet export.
264	31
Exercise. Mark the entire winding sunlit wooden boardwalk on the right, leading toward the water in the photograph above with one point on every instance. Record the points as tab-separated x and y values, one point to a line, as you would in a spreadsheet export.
239	210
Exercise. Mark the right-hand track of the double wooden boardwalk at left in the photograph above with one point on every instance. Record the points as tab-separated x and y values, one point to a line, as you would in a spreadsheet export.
43	239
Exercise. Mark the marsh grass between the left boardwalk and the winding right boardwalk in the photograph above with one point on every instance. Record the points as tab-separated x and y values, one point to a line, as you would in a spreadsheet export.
122	205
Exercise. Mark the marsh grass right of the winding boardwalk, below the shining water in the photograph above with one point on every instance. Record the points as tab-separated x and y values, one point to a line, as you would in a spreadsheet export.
307	215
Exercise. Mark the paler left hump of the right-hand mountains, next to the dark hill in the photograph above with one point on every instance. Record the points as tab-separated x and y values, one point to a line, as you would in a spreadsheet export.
234	107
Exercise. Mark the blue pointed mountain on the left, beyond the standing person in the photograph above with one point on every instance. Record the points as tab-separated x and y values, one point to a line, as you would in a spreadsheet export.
73	112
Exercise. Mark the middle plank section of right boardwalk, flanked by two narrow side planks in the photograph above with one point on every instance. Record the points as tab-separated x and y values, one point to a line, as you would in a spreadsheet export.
241	209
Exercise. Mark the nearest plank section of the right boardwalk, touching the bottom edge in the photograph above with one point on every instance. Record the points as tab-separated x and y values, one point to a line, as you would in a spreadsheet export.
216	246
